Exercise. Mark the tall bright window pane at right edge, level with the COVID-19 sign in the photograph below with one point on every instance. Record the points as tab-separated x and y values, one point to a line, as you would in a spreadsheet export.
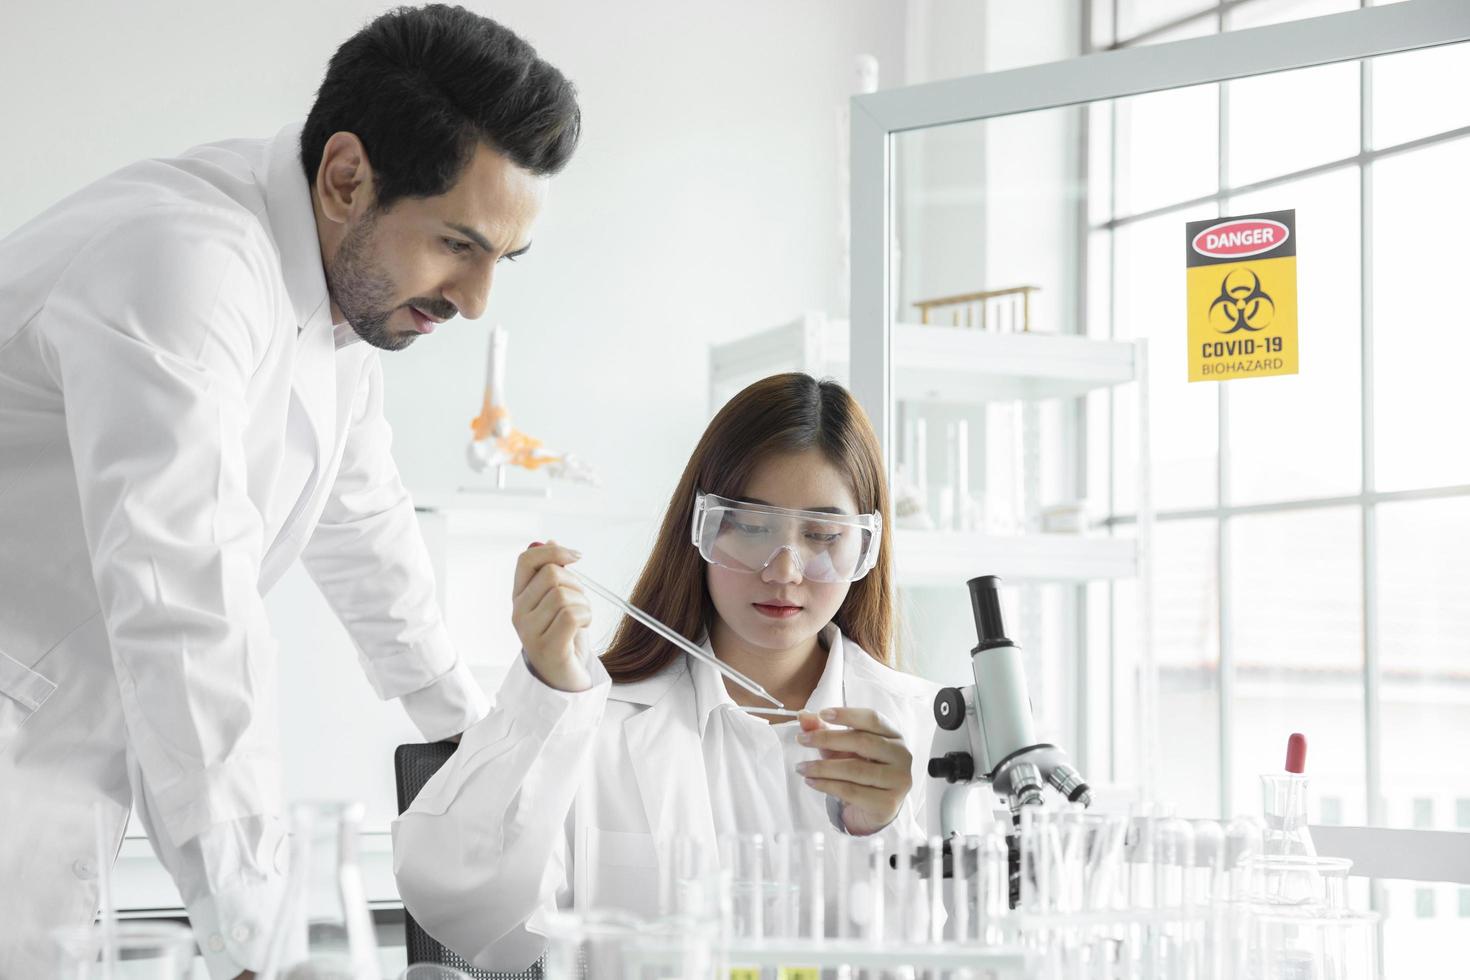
1421	343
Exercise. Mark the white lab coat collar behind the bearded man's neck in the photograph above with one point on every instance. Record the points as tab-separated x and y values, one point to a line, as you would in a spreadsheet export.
293	226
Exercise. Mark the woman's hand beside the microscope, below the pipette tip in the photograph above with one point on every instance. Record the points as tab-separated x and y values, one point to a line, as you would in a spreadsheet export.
867	766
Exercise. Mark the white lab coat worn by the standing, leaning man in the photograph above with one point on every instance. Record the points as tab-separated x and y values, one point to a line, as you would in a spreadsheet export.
177	428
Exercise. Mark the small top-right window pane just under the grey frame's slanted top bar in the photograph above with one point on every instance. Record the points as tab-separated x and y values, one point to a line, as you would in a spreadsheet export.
1400	109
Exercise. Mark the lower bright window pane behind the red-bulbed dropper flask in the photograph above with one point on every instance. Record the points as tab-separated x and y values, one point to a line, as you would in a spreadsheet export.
1297	627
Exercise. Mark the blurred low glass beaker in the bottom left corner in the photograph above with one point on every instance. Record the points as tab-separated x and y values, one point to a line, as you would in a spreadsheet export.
126	951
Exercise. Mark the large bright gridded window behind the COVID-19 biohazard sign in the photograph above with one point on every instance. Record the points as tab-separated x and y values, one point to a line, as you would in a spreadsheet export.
1331	509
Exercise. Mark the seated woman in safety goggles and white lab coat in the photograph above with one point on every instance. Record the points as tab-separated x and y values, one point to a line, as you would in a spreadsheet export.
775	555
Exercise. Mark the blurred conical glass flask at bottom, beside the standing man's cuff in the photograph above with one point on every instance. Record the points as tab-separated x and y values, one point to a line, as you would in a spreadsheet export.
323	929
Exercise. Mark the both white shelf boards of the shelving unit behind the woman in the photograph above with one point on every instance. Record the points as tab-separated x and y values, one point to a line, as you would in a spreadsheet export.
959	367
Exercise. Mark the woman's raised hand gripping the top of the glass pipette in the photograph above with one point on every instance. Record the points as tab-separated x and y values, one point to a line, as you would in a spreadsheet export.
549	610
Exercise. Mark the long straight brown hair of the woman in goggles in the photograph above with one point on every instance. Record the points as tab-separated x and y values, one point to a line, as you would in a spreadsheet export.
775	417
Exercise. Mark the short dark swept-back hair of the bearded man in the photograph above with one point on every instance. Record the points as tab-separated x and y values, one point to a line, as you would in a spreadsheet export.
424	86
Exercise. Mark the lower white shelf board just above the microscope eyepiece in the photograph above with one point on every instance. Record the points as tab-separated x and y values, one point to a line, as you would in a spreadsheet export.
947	559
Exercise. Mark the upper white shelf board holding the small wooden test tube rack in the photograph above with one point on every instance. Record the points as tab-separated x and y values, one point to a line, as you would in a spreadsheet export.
934	364
